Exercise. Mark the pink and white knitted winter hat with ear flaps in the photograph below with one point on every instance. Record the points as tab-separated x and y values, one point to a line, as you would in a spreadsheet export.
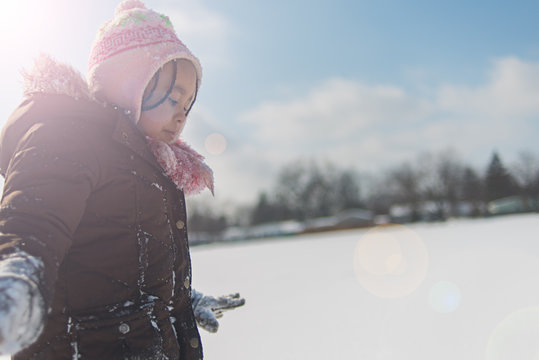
128	50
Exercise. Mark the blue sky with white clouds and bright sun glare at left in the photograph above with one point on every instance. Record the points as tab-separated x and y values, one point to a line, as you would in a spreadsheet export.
364	84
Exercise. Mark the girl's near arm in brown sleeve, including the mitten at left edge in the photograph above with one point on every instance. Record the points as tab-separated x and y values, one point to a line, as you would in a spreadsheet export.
47	182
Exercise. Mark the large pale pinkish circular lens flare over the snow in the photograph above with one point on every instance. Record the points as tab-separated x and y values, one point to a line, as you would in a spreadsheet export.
390	261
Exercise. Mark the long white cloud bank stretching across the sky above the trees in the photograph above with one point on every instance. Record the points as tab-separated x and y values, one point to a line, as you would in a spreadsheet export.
373	127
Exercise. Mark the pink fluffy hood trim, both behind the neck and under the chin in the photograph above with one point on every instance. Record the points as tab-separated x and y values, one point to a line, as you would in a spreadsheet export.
184	166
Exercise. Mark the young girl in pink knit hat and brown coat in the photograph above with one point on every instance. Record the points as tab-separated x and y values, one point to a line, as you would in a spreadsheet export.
94	258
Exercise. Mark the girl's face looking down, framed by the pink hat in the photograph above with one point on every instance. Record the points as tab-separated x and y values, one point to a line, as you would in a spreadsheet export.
166	121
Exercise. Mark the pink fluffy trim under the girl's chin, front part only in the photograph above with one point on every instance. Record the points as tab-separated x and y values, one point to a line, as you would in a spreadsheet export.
183	165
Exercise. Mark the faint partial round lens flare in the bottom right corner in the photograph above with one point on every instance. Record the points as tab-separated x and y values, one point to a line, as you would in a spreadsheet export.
516	336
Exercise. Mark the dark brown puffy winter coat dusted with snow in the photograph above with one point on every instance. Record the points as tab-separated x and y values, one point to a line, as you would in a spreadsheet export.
84	194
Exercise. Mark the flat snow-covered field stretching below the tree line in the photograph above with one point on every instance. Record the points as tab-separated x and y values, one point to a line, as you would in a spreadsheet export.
464	289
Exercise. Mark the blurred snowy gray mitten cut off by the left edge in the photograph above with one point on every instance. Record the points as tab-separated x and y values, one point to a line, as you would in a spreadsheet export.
22	309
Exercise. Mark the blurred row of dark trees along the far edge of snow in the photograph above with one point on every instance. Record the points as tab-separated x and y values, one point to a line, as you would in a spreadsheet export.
308	189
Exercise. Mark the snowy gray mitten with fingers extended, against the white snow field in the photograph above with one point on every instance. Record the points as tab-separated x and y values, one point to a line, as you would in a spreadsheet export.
208	309
